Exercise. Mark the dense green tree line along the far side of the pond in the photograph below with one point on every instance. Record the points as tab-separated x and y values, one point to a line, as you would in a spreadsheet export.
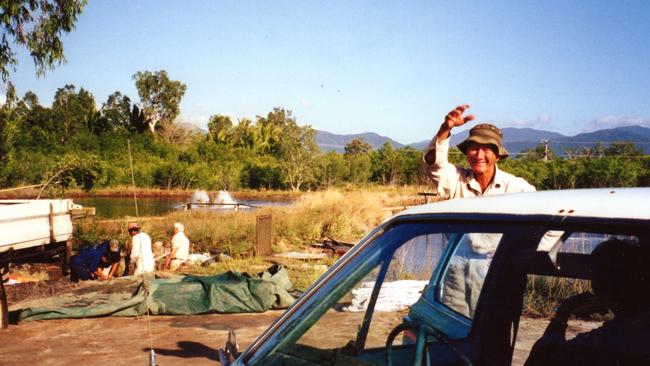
74	143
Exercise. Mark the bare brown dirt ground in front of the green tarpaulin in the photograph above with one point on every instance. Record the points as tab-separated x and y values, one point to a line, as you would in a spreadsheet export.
178	340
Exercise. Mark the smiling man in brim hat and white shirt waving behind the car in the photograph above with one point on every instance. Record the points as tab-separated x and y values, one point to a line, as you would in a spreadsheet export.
483	149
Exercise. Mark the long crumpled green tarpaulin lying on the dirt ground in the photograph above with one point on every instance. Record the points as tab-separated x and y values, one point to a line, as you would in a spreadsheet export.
229	292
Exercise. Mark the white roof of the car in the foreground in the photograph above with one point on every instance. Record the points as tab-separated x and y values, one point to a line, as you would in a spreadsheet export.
625	203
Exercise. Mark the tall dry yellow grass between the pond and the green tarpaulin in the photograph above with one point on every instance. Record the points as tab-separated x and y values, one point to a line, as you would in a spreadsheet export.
345	214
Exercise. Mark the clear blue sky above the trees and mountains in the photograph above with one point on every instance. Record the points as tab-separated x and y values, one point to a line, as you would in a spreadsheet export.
395	68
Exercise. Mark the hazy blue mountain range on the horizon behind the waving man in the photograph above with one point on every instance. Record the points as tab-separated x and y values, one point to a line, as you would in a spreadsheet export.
515	139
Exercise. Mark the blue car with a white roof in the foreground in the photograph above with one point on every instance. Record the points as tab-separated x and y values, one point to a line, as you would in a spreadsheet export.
490	271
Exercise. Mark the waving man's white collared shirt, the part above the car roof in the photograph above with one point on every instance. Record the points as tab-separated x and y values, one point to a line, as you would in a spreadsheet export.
452	181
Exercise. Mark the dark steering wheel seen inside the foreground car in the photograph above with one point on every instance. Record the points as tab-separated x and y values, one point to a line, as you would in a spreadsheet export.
422	331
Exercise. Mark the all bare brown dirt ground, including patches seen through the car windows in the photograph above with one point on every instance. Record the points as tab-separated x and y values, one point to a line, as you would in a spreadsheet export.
178	340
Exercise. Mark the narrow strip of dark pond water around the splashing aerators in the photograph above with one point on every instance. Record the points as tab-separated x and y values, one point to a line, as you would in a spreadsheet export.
117	207
